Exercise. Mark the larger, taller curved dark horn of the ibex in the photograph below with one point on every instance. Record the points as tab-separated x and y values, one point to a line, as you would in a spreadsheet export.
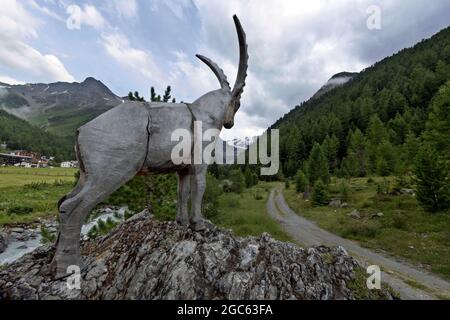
243	63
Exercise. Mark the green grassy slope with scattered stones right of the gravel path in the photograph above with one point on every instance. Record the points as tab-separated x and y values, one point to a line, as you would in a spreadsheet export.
405	230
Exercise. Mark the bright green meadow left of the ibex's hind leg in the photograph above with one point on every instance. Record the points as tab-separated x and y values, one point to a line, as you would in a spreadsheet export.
29	194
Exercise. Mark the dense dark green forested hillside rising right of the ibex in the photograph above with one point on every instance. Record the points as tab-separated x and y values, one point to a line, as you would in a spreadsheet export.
375	123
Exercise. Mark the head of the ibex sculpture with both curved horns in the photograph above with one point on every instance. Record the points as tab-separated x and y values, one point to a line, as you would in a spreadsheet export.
233	102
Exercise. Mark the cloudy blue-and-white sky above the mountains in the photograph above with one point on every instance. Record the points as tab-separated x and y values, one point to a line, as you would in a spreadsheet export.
294	46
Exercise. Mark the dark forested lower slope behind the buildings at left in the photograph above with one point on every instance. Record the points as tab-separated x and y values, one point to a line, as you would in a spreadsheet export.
19	134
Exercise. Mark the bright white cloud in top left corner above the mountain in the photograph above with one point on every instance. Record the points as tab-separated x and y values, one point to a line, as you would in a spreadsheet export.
17	27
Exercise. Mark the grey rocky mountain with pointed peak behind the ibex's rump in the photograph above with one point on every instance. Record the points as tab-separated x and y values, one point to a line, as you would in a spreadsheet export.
58	107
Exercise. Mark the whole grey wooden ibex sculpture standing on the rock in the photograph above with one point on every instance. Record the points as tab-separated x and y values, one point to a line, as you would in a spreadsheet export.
136	137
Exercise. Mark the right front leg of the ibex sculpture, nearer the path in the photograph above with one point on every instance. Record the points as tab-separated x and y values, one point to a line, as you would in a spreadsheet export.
198	186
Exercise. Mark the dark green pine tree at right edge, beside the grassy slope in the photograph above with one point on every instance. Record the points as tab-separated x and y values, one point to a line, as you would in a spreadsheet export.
432	179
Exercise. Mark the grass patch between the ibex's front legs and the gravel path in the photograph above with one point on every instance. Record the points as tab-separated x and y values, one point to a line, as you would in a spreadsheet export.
246	215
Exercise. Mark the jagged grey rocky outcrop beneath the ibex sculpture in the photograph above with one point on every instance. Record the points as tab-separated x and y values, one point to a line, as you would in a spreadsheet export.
147	259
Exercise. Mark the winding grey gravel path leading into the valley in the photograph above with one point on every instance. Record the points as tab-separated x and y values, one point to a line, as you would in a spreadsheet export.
395	272
